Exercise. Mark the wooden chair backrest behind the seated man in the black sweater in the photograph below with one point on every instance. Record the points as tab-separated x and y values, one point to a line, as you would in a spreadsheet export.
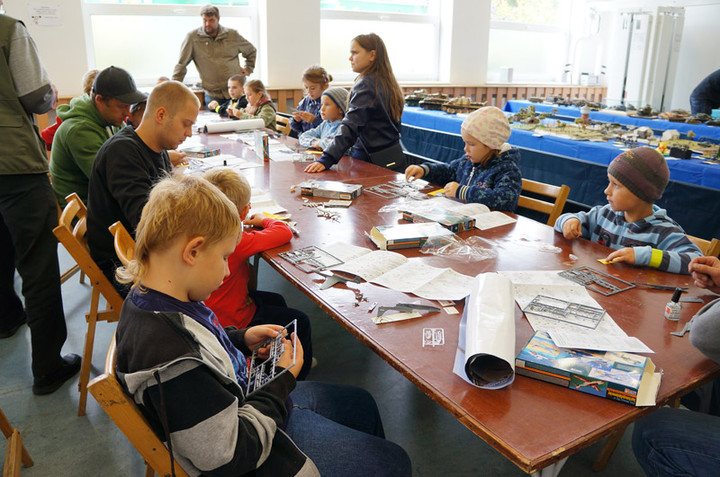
74	239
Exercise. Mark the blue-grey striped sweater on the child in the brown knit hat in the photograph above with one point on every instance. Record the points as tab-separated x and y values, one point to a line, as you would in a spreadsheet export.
659	242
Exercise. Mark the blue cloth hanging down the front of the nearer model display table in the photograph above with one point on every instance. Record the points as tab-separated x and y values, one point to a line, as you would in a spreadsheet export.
692	197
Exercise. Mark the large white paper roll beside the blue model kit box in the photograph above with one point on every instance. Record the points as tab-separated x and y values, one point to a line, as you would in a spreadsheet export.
486	343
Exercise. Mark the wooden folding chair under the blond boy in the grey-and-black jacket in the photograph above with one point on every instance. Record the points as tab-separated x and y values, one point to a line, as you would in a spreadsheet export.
121	408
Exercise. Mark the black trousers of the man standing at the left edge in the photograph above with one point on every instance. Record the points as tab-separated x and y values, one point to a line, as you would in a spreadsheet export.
28	213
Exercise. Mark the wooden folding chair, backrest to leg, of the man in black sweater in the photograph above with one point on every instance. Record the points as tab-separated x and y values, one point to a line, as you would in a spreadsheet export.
74	240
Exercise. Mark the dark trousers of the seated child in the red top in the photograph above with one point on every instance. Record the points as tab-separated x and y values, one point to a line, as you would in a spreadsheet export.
272	310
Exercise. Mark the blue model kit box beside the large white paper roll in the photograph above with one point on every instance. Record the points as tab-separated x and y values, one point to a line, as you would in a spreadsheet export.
624	377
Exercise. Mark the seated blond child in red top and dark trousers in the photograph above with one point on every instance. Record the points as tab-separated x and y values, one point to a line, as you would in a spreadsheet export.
232	302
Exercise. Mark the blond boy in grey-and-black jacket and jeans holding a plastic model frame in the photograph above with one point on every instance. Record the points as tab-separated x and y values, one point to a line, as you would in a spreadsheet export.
189	375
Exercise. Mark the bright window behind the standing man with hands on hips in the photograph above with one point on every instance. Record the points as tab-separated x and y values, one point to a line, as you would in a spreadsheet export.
118	31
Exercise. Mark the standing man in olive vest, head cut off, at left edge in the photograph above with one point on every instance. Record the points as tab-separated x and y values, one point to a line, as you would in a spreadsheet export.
28	211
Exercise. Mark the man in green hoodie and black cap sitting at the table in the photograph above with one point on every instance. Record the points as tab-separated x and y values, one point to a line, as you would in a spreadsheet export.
87	123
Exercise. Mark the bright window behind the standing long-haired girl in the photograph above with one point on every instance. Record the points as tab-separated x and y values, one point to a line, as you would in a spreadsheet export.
400	23
